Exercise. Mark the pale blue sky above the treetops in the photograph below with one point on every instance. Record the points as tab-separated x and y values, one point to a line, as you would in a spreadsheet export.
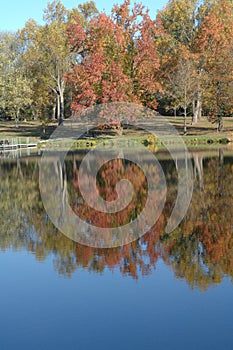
14	13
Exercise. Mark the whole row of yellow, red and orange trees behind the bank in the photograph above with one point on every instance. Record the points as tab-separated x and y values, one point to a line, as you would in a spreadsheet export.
181	61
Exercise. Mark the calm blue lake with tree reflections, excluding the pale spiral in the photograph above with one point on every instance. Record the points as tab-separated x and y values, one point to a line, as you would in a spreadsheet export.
161	291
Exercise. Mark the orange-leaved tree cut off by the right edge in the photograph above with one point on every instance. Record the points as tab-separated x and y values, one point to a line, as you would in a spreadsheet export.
216	44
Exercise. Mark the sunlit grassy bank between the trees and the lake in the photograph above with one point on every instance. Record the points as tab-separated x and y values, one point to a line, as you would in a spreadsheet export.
202	133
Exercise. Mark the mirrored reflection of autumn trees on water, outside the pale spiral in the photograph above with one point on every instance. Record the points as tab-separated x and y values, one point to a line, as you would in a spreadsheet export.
198	251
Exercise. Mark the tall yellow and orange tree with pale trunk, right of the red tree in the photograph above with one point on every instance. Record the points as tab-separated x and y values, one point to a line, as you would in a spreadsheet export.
181	21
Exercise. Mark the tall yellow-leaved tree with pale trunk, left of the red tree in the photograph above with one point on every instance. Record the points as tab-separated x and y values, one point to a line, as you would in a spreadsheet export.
48	56
